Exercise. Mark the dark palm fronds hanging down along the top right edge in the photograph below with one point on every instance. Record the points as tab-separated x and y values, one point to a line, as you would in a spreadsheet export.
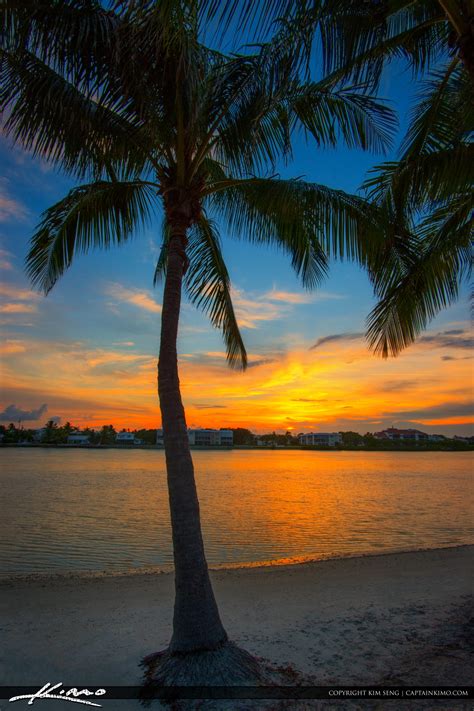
357	37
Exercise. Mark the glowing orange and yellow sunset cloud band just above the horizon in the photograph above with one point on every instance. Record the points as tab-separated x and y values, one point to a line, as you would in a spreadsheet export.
340	385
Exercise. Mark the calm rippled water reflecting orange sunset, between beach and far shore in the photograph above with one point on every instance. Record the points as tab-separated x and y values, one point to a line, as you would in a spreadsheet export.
108	510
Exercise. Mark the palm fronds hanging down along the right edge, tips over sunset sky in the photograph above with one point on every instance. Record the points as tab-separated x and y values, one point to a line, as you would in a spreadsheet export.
428	197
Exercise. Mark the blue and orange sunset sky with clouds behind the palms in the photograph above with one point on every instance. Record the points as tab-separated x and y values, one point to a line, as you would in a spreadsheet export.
87	352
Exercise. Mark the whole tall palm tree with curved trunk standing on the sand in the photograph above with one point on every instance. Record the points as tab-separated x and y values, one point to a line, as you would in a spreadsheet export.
130	100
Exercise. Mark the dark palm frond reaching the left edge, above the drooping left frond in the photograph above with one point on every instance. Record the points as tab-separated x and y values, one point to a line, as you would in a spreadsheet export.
50	116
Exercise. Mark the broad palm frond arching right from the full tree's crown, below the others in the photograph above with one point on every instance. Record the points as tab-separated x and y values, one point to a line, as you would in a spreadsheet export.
309	222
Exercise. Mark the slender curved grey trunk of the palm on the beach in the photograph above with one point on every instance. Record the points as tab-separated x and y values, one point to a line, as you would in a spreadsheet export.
196	622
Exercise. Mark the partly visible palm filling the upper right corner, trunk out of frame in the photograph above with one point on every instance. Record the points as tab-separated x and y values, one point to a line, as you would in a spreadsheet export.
427	194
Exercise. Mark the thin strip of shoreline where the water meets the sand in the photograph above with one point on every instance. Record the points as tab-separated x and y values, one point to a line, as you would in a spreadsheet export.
150	571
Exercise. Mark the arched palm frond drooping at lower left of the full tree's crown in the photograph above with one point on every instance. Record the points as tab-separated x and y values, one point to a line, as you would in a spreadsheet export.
100	214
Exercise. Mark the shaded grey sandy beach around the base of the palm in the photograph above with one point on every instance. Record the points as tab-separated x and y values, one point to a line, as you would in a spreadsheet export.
398	619
